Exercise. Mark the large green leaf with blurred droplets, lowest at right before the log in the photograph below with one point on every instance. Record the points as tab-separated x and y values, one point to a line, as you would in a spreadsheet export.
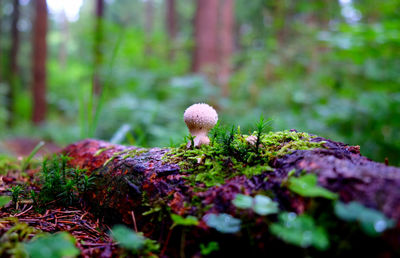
300	230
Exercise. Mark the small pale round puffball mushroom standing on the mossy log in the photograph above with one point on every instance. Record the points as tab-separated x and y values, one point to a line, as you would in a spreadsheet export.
200	118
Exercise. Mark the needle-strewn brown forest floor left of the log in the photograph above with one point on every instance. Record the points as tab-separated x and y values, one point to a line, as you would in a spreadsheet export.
26	219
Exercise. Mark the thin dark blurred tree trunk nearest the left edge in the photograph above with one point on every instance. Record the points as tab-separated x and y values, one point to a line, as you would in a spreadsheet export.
10	98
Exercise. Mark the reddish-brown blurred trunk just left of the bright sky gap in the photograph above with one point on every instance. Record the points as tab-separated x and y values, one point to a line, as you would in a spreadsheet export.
39	62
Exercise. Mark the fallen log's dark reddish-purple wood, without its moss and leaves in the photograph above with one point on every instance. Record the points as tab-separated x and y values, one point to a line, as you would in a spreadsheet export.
139	187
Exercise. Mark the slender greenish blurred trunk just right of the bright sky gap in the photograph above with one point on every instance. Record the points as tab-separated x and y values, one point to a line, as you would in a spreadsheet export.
97	48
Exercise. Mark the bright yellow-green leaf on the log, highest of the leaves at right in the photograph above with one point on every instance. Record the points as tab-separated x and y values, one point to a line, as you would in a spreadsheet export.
307	186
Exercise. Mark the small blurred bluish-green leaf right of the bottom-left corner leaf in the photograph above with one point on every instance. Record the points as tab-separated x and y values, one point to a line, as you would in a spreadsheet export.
128	238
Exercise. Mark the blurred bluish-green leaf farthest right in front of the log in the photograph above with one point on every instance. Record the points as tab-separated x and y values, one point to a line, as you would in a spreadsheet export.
373	222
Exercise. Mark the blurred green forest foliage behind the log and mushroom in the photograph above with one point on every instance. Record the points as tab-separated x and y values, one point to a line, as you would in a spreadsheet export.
326	67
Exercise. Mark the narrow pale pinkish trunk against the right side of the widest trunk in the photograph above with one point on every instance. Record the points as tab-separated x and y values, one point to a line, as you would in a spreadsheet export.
226	42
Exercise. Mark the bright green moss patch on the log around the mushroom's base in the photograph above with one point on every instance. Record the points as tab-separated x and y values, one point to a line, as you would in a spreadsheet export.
232	154
